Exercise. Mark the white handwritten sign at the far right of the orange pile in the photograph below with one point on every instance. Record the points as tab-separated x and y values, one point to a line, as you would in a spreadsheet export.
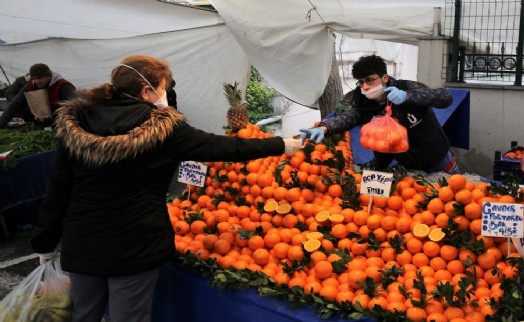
502	219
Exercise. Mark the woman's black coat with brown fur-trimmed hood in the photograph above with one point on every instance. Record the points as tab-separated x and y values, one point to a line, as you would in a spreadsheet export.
106	196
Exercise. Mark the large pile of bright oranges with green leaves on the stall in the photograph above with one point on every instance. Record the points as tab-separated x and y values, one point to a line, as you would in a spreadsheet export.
250	216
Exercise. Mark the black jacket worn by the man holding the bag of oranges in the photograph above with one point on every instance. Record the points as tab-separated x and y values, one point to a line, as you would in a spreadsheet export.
428	144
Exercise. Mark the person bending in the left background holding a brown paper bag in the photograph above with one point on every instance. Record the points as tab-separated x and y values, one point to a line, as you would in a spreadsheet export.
38	99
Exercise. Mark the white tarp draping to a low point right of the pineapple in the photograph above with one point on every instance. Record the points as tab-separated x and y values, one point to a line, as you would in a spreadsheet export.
291	43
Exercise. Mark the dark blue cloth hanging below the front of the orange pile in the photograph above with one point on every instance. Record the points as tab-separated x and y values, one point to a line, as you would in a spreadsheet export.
182	295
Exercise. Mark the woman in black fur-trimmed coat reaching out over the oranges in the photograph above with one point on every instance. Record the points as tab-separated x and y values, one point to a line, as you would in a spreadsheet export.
106	200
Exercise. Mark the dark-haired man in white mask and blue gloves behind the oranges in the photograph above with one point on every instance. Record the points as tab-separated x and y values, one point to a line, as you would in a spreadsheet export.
412	107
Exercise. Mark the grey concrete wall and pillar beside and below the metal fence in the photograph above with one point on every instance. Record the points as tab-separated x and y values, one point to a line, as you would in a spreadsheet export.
496	111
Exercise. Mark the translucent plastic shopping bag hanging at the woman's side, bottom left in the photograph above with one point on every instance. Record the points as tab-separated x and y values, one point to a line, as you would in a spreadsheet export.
43	296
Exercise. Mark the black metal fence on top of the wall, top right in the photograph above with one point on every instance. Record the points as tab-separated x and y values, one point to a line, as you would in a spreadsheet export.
487	39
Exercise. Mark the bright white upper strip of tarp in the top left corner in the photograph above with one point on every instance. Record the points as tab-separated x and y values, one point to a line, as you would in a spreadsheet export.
27	20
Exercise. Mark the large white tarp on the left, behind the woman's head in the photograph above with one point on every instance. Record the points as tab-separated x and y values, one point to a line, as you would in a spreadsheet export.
202	53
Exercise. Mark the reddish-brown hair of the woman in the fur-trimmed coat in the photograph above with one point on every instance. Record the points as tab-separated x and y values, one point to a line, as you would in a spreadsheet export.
128	80
